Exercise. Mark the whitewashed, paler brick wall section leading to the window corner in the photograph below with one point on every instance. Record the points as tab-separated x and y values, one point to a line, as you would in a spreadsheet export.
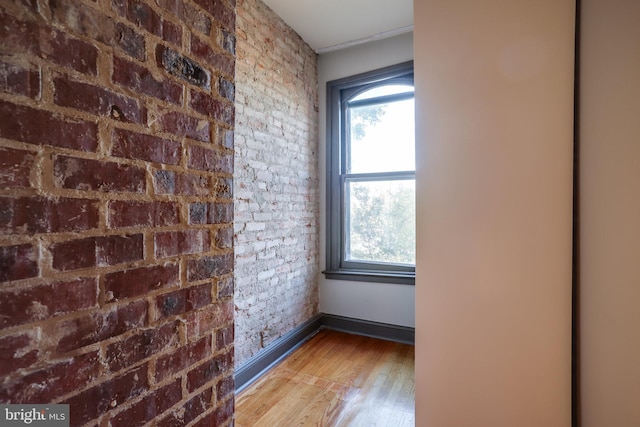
275	181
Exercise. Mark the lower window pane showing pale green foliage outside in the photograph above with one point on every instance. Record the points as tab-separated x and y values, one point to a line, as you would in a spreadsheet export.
380	223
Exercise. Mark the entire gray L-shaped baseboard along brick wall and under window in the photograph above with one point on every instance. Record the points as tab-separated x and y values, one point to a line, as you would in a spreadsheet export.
280	348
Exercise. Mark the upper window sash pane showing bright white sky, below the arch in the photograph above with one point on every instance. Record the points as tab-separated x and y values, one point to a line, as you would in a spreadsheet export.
381	138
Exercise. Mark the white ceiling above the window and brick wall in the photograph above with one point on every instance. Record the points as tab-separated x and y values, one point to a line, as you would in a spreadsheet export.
333	24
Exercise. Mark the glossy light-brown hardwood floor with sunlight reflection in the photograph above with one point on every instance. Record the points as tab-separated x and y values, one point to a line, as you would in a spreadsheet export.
334	379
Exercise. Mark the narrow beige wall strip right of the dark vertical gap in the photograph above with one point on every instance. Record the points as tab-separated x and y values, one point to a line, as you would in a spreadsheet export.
610	213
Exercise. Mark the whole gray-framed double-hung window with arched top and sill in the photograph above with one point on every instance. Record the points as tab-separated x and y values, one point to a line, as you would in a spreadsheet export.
371	177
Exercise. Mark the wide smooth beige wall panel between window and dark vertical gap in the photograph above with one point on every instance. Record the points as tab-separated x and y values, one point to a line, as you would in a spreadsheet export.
494	92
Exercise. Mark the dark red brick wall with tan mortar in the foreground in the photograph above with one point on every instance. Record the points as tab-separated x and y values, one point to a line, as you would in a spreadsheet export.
116	212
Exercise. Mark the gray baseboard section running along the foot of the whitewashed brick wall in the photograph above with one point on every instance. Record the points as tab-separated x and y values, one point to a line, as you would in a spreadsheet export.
269	356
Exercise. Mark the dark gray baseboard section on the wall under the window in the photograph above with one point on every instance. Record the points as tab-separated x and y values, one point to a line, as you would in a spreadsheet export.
402	334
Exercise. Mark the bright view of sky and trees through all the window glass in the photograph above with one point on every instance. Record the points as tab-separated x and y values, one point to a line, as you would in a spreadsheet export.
381	219
